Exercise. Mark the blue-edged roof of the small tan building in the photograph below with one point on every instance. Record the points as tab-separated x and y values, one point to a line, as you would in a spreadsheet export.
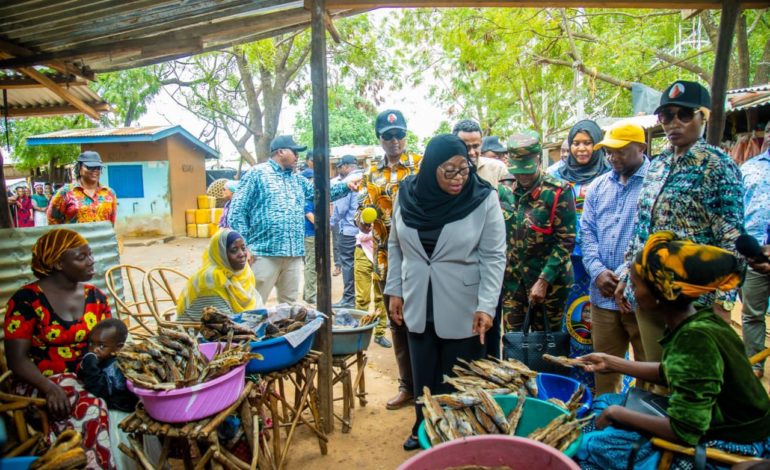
119	135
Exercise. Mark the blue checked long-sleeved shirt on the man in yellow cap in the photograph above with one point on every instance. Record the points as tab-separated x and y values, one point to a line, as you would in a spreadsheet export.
607	225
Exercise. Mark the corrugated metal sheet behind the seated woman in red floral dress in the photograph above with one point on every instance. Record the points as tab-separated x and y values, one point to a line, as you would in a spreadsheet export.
16	255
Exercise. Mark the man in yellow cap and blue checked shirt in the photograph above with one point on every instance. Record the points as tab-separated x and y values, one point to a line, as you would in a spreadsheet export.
606	227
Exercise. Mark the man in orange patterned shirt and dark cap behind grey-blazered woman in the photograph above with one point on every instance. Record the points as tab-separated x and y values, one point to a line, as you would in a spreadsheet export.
379	190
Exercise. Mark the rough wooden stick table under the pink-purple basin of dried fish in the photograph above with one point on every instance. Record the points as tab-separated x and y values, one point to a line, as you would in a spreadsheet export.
194	435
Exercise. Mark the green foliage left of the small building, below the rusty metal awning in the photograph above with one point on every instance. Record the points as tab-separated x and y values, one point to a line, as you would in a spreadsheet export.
43	155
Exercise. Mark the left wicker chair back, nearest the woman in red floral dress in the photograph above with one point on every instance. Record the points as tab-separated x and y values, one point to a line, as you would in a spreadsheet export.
132	306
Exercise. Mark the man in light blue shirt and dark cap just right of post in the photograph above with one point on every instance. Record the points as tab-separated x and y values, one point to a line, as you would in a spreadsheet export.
343	218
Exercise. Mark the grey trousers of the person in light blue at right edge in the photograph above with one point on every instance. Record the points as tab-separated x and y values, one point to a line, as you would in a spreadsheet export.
754	294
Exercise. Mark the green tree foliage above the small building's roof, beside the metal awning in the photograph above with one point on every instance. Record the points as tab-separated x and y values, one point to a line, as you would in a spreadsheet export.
128	92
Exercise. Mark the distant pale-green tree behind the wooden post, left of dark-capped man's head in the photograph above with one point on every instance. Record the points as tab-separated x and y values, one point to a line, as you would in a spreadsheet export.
351	120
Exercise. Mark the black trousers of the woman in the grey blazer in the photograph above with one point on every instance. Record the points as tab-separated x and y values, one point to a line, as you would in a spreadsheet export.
433	357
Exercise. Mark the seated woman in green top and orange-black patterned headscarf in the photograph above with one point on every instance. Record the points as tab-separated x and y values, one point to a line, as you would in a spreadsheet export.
715	398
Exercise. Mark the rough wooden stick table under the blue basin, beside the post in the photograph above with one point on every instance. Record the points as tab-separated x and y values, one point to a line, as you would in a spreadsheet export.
286	412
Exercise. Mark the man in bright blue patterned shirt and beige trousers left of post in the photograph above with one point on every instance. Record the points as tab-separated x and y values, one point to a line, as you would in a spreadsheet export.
269	212
